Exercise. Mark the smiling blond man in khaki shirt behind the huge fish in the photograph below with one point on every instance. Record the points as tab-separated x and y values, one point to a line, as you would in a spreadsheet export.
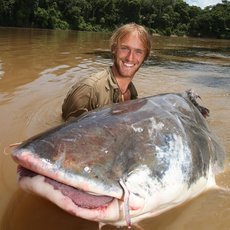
130	47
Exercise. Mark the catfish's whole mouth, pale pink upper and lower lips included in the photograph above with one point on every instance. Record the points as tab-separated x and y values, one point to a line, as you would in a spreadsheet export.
80	196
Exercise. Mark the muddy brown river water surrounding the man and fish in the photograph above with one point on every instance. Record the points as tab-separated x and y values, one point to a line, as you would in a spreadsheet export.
37	68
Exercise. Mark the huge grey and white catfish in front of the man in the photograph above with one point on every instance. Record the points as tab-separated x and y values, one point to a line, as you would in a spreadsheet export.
160	147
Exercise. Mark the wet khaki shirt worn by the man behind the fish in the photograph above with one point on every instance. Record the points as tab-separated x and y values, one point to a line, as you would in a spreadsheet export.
98	90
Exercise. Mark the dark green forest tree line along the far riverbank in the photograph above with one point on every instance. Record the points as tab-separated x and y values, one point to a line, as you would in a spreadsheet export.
165	17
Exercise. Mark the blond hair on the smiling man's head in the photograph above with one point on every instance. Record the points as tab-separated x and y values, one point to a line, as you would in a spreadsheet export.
122	31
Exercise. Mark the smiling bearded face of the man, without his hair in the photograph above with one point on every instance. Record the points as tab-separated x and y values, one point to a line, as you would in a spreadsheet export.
128	56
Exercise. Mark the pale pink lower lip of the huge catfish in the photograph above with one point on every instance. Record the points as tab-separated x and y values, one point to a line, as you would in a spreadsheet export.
108	213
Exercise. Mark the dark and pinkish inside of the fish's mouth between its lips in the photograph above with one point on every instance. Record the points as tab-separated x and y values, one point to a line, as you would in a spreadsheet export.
79	197
